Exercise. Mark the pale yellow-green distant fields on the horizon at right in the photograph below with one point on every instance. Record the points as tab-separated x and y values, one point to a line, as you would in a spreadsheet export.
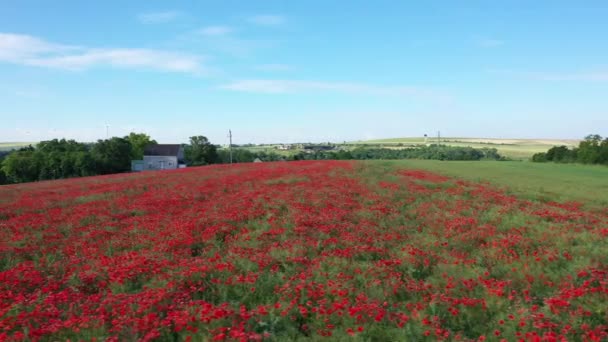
512	148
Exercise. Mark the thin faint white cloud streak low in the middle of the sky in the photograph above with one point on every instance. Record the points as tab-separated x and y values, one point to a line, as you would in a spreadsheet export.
299	86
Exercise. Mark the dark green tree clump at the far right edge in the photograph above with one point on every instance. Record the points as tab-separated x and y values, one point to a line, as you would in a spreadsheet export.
592	150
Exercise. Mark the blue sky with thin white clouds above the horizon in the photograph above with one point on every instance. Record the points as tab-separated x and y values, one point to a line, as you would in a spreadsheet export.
286	71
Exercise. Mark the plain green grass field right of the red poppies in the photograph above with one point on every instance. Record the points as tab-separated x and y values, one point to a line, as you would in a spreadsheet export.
545	181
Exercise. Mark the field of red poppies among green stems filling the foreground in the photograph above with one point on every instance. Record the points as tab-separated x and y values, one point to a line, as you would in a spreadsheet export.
298	251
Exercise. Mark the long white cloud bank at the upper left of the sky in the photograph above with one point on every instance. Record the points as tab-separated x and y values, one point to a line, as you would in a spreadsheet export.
28	50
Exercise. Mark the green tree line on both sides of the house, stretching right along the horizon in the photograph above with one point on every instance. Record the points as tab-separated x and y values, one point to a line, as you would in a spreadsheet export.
57	159
